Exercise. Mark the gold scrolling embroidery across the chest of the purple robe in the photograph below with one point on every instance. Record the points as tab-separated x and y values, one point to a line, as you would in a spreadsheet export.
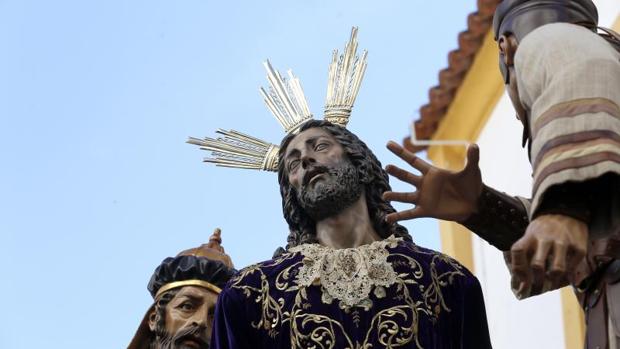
418	293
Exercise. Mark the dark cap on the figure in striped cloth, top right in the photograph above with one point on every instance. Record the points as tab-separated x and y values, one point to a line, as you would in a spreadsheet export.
520	17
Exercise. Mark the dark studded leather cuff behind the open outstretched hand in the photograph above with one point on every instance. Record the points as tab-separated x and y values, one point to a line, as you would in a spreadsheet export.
500	219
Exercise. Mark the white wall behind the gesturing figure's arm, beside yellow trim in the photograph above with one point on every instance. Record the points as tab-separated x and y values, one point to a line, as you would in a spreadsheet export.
531	323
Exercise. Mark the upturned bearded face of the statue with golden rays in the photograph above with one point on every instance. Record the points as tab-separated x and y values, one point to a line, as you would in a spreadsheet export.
325	180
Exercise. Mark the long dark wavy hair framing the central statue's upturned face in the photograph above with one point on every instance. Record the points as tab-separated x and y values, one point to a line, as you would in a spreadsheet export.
375	180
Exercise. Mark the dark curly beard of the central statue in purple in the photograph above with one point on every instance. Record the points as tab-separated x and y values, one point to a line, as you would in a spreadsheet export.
329	196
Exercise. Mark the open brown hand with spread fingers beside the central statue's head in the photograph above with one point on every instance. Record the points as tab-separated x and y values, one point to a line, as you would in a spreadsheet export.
441	194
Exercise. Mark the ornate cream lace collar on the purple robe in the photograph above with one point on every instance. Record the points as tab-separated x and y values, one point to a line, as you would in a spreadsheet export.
350	274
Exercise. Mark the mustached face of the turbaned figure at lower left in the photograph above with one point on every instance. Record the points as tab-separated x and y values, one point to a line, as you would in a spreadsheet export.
188	320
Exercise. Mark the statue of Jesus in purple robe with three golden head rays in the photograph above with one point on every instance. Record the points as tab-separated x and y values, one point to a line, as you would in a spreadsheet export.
348	278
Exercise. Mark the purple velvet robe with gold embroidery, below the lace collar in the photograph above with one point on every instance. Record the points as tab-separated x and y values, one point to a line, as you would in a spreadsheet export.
436	303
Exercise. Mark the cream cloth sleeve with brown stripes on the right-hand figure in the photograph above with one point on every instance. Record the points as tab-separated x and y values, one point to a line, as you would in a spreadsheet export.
569	78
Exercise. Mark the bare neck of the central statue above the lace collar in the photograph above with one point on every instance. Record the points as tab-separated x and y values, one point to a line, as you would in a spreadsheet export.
350	228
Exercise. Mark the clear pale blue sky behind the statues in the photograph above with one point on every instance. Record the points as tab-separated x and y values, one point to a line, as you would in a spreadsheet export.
97	99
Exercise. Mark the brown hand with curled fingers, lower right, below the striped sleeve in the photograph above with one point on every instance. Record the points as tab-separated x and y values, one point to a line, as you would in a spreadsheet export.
546	256
